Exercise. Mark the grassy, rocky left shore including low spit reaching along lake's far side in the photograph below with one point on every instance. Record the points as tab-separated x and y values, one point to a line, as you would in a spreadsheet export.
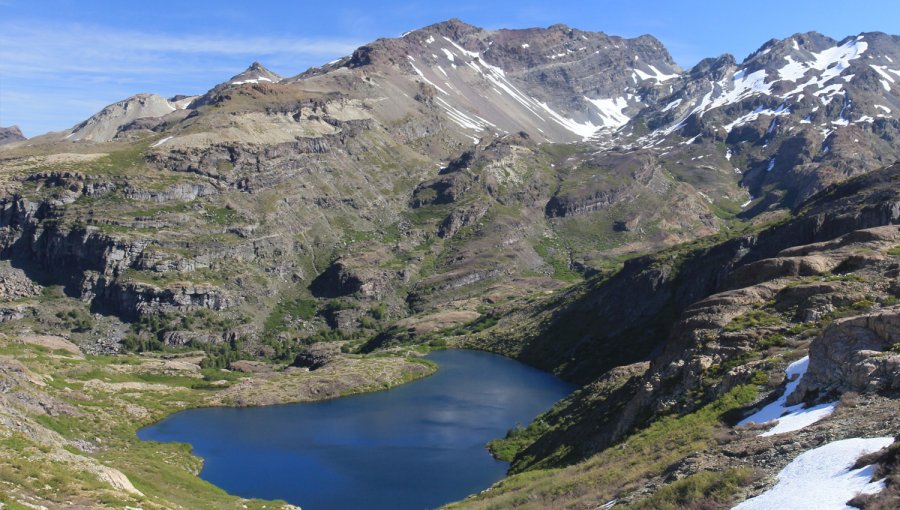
100	402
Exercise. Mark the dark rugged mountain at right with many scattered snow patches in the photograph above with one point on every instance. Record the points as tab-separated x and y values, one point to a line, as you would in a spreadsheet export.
794	116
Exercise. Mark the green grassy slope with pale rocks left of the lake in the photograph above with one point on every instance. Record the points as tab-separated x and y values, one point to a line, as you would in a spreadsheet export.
105	400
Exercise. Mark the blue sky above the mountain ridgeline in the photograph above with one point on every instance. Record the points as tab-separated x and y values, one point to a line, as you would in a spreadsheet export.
61	61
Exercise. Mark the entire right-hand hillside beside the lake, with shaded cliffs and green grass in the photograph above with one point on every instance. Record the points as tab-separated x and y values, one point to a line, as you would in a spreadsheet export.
678	431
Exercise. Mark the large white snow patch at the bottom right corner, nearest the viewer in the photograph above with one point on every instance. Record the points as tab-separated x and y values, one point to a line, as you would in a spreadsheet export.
823	478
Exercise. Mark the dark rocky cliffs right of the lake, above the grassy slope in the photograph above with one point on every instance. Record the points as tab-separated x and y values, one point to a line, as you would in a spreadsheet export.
682	307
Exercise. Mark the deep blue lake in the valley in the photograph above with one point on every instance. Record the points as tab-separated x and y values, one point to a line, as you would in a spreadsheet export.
413	447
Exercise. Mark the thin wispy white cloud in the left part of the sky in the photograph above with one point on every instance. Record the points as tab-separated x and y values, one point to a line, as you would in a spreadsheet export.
54	76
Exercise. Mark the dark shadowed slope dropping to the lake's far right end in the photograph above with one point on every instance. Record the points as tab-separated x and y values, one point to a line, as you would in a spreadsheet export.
623	319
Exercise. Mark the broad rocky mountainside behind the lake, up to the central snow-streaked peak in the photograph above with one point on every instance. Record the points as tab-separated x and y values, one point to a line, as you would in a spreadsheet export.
360	180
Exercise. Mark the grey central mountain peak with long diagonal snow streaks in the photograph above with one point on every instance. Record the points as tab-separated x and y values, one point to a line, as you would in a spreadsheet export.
556	83
